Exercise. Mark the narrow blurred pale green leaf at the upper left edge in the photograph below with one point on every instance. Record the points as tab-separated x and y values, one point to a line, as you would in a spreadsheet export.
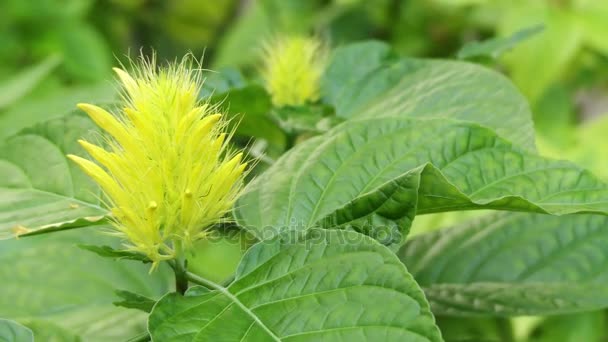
21	84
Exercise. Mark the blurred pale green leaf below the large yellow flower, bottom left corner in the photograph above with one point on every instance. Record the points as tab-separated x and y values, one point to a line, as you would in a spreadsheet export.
48	278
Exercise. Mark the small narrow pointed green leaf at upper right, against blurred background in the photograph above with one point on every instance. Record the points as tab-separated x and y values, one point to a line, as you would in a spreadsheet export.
495	47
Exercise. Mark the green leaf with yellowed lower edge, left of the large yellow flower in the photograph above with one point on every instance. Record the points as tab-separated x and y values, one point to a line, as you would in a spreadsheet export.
39	187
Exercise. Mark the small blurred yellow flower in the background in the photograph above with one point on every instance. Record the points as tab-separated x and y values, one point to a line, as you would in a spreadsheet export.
292	70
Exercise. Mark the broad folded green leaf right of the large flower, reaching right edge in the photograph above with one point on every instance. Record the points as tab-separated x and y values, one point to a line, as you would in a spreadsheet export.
462	165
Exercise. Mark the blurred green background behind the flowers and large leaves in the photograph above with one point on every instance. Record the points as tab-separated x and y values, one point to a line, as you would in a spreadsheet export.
55	53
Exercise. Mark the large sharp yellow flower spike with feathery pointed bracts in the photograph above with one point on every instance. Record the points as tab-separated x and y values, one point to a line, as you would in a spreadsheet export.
167	173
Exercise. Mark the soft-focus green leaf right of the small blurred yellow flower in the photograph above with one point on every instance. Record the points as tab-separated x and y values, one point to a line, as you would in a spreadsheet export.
416	88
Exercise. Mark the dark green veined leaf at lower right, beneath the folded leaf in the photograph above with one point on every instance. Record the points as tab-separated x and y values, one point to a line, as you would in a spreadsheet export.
514	264
